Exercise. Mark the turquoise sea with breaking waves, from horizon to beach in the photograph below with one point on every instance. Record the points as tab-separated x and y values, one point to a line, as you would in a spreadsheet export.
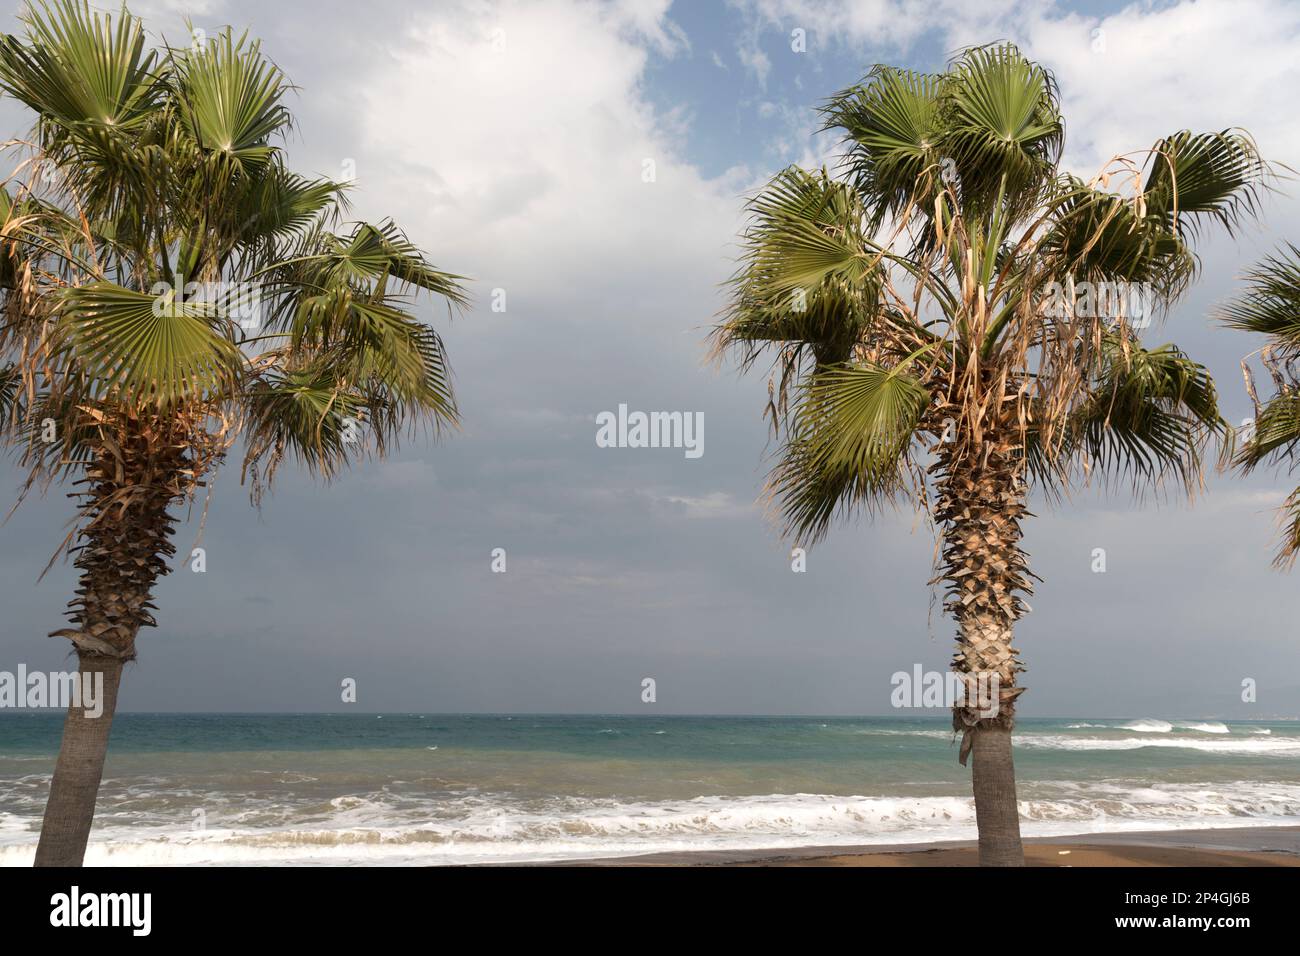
431	789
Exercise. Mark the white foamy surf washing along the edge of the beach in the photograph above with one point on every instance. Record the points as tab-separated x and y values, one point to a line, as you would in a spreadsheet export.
370	830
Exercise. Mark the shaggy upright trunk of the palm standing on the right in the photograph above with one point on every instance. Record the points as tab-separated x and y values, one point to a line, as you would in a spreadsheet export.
981	505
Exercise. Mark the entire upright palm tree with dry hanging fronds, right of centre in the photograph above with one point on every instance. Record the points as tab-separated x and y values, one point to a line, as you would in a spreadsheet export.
955	319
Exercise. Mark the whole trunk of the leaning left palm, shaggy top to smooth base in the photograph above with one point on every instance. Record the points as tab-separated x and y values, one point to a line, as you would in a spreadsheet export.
127	539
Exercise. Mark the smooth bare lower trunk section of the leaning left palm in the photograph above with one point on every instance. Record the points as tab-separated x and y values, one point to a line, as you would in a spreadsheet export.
71	808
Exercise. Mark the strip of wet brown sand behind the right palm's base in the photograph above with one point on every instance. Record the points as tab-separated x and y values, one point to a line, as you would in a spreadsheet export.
1249	846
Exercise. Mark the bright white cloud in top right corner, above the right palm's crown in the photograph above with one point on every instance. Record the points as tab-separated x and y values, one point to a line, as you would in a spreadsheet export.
1126	79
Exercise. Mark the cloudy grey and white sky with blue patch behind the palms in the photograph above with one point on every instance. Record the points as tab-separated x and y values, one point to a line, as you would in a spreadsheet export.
510	141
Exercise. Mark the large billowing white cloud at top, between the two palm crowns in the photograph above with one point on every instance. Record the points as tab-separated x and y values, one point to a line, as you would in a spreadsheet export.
519	137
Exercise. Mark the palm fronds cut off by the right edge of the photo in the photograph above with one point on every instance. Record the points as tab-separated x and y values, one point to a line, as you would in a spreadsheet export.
1272	306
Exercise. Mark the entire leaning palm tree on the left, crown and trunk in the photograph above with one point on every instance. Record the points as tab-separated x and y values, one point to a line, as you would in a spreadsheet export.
172	289
